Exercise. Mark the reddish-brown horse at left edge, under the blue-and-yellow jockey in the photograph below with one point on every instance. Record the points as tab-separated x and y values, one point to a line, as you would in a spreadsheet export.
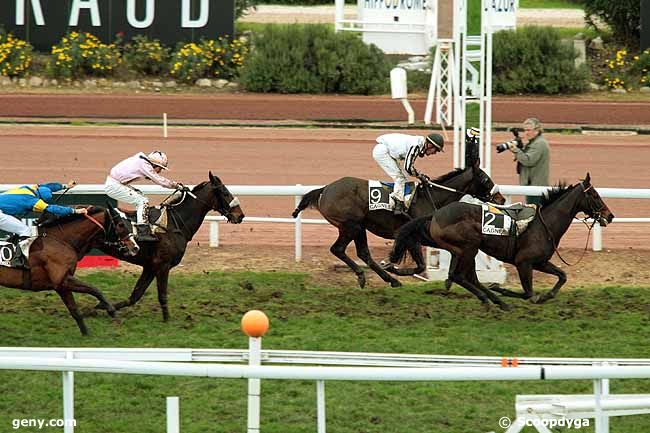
54	254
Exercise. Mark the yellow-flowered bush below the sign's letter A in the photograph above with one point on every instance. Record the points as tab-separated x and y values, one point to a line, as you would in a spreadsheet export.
81	54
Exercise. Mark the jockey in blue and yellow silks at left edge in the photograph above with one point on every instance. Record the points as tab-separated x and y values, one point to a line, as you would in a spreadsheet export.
32	198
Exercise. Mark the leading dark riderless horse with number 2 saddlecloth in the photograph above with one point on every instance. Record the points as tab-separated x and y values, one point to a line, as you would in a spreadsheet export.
457	229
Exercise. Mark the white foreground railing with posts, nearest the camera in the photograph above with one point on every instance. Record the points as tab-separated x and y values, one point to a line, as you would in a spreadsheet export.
315	366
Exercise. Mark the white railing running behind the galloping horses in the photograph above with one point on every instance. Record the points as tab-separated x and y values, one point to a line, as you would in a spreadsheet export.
298	191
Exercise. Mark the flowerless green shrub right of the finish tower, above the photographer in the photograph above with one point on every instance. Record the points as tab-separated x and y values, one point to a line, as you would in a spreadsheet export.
534	60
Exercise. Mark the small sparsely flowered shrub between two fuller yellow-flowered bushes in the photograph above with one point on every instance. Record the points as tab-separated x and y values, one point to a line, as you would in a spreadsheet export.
146	56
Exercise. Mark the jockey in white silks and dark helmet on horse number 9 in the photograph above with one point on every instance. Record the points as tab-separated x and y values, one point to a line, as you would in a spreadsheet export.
391	149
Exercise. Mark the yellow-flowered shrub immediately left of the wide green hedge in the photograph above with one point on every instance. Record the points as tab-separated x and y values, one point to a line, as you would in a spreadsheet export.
219	58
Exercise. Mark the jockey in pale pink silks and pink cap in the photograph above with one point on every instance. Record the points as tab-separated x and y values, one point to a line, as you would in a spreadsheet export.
134	168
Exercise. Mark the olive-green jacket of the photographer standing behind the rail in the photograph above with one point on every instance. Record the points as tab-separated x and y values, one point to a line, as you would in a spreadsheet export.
533	162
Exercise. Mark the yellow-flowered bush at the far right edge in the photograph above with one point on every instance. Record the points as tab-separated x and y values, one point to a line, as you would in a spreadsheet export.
627	71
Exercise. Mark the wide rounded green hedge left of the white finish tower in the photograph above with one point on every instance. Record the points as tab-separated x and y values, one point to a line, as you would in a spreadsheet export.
314	59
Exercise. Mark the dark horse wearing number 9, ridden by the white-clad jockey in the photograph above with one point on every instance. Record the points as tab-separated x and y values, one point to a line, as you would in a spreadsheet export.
344	204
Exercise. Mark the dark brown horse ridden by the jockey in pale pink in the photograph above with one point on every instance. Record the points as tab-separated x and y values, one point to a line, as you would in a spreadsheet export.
185	215
